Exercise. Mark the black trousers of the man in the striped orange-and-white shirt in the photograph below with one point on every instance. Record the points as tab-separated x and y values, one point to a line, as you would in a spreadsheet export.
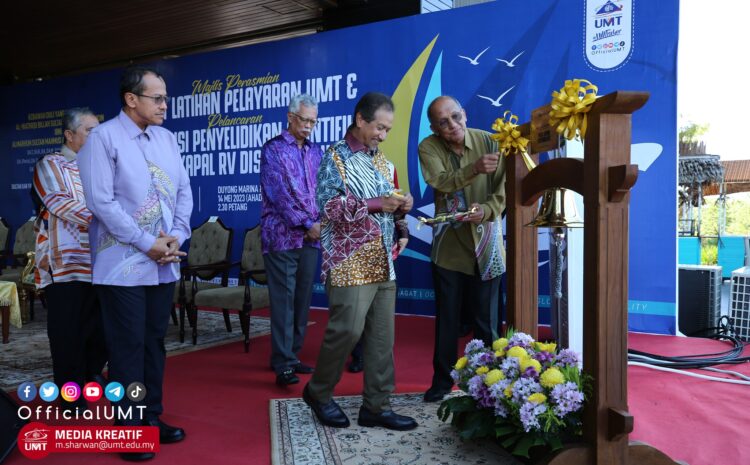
74	328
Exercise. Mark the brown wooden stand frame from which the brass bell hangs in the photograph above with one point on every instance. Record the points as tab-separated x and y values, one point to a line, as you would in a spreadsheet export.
604	177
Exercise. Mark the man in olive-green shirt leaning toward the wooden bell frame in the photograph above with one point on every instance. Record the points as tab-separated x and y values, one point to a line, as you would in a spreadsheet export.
467	174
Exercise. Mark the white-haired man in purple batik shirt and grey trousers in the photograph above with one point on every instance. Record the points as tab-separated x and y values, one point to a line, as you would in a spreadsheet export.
290	233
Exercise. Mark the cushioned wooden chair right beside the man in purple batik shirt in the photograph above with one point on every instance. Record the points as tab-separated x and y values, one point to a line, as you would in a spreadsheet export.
249	294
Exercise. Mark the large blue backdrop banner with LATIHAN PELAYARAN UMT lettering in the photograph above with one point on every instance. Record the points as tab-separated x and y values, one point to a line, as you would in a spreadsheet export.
492	57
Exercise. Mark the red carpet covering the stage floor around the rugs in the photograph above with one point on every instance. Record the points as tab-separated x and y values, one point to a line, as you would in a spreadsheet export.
220	396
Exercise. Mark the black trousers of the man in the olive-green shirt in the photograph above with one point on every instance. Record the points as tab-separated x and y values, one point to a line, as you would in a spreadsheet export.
452	290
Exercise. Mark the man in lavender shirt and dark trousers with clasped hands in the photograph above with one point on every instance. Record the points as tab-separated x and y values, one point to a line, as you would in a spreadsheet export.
139	193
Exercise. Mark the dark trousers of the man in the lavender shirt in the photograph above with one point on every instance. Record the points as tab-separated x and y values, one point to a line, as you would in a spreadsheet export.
135	322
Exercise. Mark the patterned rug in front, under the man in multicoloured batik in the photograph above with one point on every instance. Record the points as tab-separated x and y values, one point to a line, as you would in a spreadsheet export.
297	438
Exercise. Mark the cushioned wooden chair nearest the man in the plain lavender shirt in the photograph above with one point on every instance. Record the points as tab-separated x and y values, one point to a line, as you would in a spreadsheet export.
208	257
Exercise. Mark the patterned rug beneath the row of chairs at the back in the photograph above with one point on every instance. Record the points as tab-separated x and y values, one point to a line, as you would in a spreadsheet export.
27	358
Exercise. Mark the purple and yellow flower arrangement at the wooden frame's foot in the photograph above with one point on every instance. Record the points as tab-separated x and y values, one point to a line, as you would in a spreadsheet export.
522	392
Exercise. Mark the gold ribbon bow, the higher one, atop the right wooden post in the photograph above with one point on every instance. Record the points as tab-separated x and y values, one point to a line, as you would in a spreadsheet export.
569	107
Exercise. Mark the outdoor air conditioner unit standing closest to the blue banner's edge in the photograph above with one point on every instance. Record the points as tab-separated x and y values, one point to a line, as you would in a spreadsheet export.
699	298
